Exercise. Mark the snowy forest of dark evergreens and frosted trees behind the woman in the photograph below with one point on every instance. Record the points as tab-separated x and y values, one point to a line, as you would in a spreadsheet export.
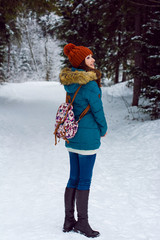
124	36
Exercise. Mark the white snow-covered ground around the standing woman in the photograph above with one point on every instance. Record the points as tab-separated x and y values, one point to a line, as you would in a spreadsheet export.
125	192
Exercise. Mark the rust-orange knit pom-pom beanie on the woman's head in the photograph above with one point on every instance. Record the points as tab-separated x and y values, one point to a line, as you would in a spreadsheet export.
76	54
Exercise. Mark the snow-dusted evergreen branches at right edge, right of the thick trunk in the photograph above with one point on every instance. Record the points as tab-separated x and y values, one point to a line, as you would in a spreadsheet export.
151	65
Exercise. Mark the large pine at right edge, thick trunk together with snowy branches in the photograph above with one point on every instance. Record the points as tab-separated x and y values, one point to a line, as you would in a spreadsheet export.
147	52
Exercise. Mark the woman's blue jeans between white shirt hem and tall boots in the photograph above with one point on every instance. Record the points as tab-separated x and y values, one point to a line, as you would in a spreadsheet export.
81	168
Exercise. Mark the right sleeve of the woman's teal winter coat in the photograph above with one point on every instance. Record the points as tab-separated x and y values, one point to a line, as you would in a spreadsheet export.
92	94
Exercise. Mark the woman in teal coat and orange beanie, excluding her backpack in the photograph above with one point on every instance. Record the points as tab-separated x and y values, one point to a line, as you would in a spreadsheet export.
83	147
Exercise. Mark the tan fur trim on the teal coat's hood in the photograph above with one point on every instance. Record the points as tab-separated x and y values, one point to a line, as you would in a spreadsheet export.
67	76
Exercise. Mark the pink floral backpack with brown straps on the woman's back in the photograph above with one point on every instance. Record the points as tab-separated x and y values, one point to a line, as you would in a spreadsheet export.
66	126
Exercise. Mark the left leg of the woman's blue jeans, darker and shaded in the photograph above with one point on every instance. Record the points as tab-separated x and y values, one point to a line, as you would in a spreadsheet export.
74	170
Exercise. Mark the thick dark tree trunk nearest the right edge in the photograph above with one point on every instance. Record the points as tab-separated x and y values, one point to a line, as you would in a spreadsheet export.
138	59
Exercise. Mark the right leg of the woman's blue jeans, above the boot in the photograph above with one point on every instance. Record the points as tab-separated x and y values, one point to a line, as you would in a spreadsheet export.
86	164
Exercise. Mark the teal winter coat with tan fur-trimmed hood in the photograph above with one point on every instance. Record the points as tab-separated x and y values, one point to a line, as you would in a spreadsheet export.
93	125
